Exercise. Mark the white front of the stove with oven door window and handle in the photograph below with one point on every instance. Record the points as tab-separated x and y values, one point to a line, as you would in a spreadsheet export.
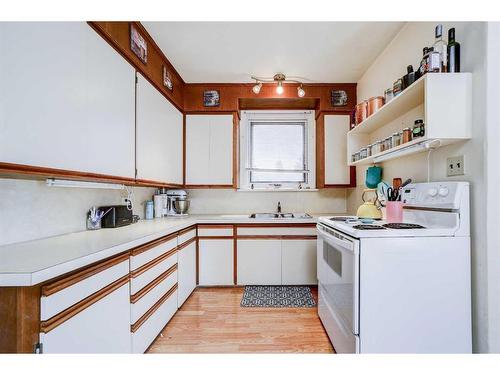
338	276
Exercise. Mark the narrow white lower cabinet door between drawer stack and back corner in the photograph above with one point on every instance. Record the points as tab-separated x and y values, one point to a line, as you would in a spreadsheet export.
186	272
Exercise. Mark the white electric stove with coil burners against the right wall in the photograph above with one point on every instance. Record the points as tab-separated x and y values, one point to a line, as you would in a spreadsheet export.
399	287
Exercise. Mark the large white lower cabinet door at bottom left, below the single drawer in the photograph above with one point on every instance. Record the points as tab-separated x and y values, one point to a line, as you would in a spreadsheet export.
102	327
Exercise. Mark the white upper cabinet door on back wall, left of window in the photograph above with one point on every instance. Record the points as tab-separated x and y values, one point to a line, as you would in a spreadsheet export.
209	150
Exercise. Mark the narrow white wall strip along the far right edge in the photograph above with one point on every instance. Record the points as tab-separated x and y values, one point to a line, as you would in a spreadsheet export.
493	182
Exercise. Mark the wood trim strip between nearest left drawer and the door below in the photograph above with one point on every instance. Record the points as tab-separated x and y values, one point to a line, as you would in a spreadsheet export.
48	325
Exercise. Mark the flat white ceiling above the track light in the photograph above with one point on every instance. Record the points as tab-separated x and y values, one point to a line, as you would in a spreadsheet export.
232	51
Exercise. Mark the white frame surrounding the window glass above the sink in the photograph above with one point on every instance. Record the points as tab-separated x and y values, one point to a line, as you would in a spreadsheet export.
306	116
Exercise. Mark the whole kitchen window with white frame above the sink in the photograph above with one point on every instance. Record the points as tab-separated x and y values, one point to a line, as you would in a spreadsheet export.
277	150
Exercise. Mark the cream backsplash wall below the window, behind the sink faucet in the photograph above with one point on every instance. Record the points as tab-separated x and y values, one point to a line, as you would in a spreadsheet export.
218	201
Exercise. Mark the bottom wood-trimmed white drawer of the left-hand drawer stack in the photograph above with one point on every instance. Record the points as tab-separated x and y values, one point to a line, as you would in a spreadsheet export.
145	330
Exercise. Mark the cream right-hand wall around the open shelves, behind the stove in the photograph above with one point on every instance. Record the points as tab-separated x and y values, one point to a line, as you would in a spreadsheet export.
405	49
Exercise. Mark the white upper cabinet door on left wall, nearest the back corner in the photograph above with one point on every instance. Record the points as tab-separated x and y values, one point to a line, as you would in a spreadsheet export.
159	136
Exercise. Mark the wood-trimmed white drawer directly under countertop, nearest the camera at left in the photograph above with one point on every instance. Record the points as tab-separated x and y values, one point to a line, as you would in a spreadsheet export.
65	292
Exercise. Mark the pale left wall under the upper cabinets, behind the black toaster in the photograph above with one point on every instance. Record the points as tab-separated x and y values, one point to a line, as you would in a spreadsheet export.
31	210
